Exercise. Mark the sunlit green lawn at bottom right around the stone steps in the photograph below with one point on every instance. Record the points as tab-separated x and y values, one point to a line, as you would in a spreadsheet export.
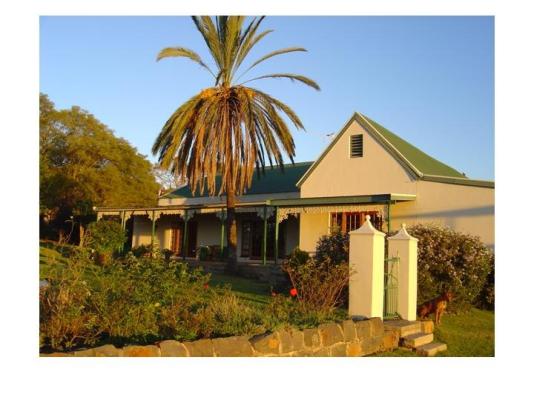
470	334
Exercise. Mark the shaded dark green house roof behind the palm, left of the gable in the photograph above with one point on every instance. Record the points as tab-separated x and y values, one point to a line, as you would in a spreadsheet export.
275	180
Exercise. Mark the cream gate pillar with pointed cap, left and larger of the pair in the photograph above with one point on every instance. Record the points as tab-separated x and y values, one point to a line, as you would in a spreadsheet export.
366	262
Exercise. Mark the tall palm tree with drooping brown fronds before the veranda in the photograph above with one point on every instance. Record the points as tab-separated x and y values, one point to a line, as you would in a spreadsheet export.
228	130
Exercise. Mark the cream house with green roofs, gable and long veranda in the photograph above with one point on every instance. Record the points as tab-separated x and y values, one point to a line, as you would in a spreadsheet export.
365	170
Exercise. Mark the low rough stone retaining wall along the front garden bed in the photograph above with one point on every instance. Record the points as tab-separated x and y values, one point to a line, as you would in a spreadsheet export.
348	338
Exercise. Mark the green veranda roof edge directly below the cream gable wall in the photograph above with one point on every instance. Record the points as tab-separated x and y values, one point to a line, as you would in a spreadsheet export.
317	201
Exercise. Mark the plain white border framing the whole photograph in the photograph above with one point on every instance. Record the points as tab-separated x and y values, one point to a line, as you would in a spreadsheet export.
26	376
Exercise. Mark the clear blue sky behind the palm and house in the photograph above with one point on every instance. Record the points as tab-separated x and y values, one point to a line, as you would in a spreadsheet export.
428	79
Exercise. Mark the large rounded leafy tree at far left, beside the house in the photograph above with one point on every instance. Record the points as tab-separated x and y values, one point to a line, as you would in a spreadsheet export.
82	164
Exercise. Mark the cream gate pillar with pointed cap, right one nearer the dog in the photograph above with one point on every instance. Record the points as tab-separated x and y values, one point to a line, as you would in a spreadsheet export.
404	246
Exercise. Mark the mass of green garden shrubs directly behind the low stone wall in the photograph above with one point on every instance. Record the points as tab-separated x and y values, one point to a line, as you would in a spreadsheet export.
140	300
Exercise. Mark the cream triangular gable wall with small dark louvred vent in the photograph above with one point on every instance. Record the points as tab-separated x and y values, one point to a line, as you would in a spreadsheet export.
377	172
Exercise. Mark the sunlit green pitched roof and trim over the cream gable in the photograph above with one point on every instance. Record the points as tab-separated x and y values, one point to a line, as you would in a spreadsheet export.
419	164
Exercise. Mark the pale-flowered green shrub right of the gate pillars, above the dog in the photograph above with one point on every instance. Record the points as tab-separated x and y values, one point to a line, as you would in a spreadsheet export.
450	260
